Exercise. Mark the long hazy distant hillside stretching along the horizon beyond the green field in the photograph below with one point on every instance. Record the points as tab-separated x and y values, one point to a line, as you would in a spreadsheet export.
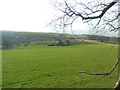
10	38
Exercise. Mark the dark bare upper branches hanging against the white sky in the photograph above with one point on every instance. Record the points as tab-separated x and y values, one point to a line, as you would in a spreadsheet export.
88	12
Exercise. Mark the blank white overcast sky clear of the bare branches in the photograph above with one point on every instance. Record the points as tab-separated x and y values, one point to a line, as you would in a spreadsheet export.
29	15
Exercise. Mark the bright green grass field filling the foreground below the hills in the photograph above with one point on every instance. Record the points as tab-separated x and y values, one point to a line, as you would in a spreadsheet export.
41	66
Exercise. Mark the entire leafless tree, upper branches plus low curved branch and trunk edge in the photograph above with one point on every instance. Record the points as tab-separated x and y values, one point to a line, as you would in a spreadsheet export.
101	14
